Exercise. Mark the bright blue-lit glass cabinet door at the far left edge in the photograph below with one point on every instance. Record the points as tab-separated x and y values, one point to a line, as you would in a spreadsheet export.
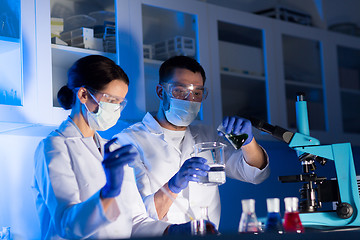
17	63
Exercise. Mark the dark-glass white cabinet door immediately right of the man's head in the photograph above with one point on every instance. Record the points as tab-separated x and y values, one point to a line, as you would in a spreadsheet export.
241	73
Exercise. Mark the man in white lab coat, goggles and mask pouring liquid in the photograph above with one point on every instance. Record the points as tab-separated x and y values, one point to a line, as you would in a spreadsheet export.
165	142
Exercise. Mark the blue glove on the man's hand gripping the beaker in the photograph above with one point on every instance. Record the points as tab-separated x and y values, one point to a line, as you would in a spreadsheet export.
189	171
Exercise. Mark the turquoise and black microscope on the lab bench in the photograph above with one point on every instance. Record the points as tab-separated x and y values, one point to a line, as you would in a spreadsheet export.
315	190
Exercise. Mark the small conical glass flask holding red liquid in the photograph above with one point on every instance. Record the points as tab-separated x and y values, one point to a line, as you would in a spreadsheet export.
292	222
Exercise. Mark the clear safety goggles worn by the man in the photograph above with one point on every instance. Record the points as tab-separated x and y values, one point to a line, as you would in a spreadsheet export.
182	91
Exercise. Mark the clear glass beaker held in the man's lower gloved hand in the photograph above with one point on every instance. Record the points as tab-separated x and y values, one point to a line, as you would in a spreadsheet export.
213	152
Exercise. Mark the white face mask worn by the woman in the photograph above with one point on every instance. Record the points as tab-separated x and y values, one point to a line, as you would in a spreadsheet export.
106	117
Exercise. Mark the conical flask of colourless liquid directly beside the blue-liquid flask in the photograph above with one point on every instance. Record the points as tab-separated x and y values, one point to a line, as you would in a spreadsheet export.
248	221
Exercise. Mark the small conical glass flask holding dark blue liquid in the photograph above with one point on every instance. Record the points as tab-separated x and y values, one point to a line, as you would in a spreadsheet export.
273	222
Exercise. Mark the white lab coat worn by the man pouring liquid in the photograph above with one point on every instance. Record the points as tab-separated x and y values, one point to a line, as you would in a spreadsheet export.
164	160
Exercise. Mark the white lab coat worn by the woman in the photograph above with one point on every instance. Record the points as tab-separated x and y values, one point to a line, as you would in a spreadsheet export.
68	179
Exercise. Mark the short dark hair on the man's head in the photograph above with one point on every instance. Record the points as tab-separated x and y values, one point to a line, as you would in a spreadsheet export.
167	68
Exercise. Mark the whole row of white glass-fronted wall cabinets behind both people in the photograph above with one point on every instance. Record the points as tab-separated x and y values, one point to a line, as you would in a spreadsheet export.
254	65
